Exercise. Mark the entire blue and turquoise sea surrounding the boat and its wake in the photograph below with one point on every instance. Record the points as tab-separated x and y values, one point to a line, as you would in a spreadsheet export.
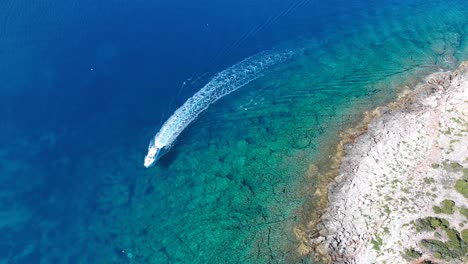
84	85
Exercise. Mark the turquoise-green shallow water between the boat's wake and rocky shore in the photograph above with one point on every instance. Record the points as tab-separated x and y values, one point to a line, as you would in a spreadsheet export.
232	189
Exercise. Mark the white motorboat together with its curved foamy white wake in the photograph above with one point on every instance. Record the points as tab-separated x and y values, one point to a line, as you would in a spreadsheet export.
223	83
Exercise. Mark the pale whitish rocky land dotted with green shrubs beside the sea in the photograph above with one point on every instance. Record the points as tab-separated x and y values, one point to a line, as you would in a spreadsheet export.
401	195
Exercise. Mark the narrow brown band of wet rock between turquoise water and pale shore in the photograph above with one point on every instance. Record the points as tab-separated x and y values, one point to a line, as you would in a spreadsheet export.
328	167
